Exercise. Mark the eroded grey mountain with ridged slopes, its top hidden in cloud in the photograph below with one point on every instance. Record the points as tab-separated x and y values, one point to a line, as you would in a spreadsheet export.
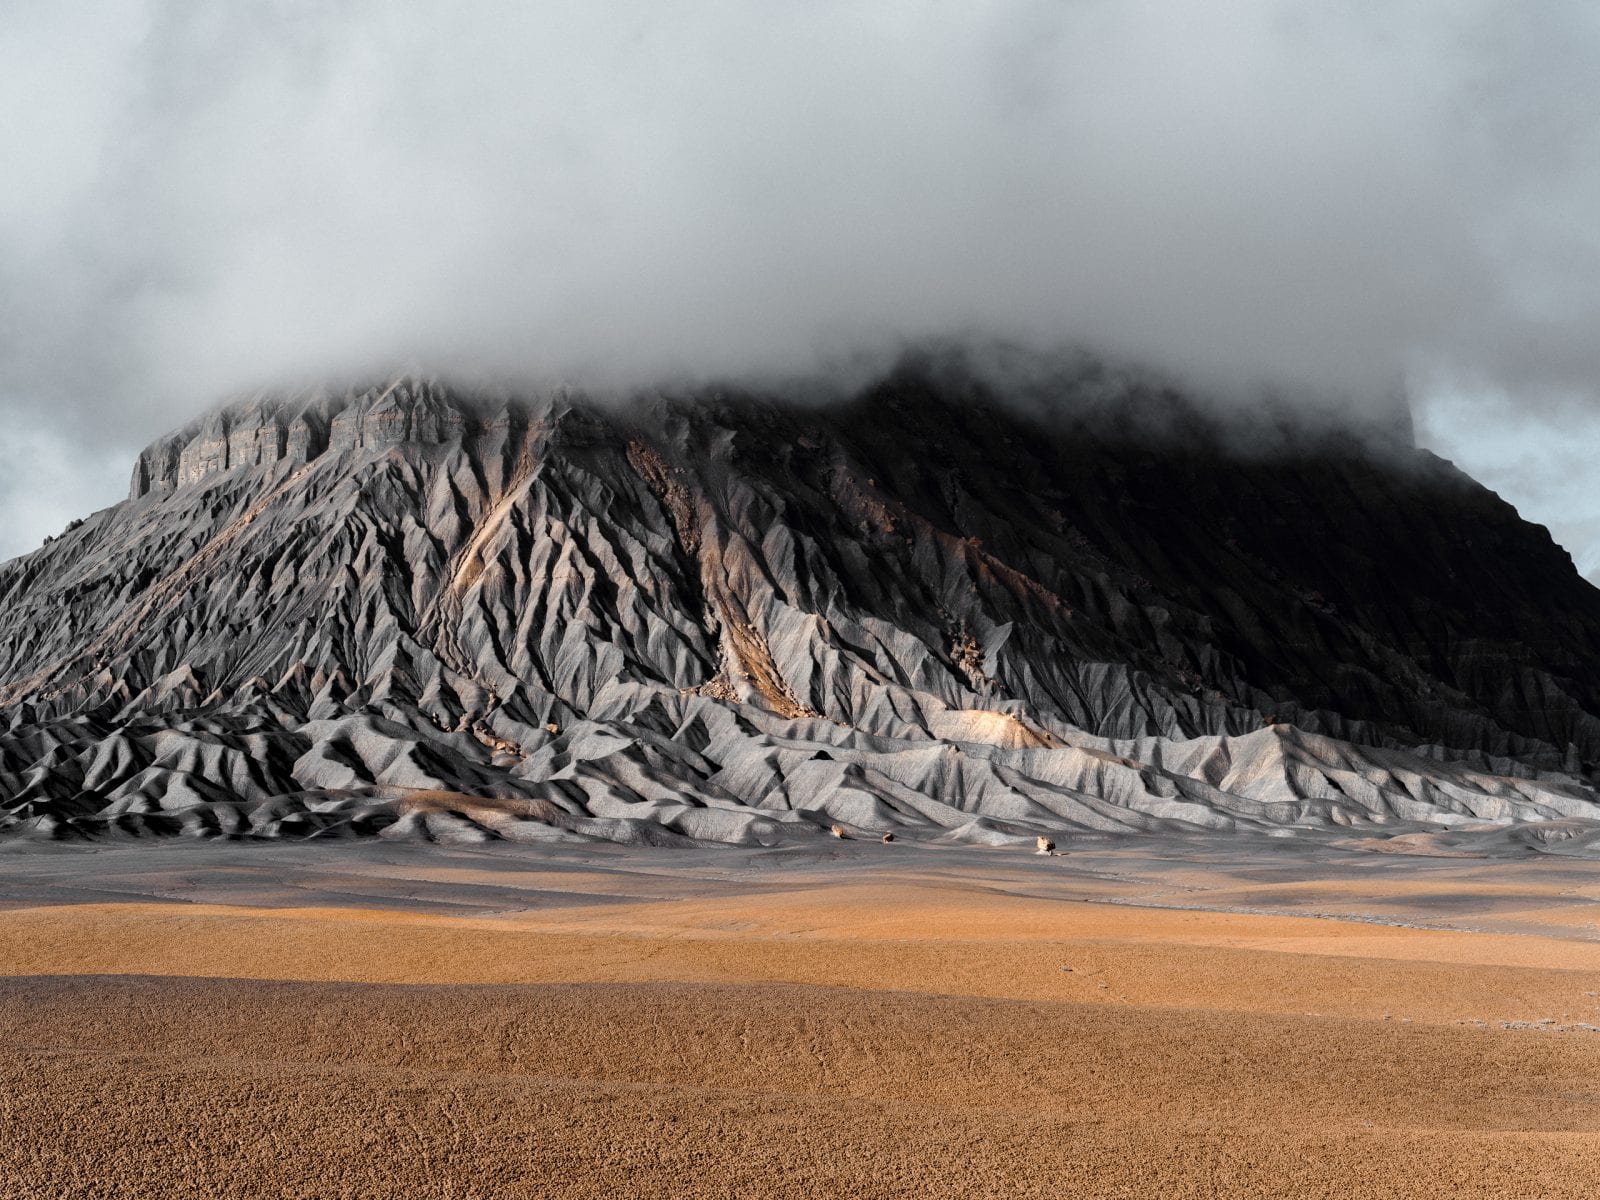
929	610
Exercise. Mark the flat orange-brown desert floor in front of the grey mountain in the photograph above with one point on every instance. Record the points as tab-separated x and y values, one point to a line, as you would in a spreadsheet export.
1138	1018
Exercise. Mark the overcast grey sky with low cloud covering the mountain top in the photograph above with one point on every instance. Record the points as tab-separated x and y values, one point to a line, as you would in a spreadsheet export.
1346	201
